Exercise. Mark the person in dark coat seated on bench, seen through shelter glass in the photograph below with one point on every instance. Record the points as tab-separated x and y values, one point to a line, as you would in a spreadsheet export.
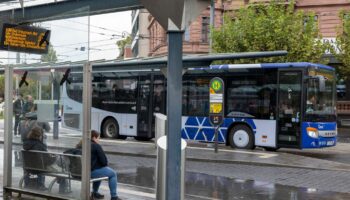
34	142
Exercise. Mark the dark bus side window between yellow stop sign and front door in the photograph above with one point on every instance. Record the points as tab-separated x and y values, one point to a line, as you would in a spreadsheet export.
252	95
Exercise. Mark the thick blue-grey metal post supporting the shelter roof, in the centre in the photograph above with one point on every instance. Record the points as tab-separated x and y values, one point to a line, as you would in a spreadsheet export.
174	111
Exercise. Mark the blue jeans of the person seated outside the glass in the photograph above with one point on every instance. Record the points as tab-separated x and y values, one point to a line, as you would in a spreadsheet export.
112	179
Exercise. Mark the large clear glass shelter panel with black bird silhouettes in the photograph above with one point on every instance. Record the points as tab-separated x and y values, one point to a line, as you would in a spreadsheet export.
41	109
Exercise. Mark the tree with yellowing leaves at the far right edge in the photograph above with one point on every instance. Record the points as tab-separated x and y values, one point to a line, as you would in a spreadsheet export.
342	51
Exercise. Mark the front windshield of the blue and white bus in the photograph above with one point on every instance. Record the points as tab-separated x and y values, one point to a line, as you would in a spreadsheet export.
320	100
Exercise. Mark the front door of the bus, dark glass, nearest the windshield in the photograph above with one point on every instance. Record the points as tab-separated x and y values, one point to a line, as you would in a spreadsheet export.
289	108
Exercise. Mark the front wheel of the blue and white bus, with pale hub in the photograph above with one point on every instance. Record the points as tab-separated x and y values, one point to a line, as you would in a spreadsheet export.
241	137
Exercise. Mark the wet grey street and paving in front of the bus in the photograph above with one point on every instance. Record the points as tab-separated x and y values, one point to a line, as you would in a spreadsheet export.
230	174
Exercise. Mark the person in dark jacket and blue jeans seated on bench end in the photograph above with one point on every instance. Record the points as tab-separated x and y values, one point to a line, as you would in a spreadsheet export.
99	168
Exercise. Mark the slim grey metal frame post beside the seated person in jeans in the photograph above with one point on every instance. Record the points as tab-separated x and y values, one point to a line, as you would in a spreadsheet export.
86	154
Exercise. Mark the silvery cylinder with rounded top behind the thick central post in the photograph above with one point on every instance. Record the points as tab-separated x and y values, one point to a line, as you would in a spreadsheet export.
161	168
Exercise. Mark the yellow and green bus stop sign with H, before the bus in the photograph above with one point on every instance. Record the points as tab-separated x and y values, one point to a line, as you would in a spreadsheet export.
216	101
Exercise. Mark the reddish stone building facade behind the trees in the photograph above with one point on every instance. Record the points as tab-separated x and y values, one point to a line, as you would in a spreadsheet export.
196	36
